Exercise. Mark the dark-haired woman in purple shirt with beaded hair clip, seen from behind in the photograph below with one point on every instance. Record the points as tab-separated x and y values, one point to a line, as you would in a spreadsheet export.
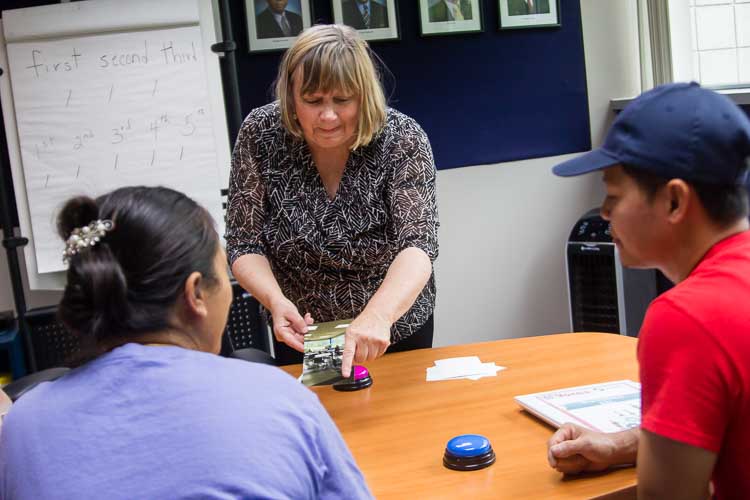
156	413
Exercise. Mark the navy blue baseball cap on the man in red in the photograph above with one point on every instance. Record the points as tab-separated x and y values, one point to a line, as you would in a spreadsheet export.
679	130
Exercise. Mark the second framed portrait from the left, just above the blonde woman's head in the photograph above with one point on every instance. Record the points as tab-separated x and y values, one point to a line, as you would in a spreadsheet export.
374	19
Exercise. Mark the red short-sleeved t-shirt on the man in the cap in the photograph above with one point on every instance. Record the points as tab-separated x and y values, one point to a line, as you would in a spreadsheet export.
694	357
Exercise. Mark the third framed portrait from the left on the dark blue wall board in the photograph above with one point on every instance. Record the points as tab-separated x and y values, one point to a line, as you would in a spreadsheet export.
439	17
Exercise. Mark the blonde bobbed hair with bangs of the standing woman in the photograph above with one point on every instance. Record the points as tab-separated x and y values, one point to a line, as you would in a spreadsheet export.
333	57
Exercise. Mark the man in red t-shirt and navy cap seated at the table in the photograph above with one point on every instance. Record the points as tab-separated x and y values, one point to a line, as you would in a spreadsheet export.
675	164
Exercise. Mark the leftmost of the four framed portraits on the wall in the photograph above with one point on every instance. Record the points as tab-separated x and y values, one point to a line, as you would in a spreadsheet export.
274	24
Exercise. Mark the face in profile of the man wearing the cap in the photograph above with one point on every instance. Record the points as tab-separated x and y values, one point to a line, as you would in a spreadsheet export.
637	222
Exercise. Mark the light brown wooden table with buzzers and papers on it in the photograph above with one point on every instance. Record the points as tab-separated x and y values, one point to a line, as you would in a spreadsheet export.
397	429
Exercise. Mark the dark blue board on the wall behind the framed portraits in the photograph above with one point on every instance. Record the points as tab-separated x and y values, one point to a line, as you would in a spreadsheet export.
482	98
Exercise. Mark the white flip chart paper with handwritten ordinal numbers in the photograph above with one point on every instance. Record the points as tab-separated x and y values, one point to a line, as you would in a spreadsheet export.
98	112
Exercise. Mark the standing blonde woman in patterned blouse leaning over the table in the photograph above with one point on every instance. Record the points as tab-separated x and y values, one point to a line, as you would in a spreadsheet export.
332	209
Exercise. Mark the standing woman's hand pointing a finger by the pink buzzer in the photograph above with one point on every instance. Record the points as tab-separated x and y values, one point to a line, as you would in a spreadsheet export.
367	338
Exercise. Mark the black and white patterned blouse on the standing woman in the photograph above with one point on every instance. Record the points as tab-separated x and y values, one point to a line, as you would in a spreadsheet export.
330	256
